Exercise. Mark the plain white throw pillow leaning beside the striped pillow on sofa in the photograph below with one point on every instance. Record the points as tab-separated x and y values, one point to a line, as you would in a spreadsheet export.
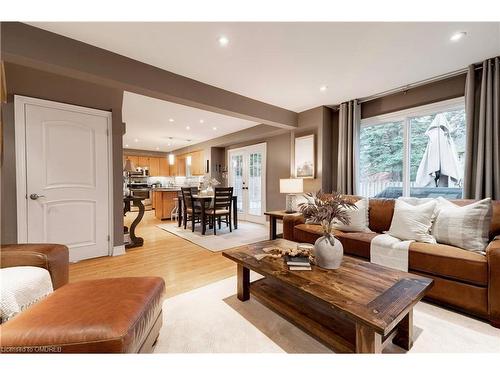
412	222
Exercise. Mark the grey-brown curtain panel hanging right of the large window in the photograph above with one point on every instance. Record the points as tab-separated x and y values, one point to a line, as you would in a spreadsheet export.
482	107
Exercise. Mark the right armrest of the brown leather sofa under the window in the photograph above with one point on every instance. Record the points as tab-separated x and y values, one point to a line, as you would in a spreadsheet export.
493	257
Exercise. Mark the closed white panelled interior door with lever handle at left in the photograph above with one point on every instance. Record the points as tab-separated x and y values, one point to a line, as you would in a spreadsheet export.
66	195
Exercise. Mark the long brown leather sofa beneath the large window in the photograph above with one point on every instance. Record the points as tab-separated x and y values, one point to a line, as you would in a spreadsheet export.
463	280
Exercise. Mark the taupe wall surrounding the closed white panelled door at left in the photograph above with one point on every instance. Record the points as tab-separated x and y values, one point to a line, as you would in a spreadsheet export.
34	83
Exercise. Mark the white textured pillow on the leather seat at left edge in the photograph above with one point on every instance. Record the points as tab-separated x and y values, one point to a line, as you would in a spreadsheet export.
21	287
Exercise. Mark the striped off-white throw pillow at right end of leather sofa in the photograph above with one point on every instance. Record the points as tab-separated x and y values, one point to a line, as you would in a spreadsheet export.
466	227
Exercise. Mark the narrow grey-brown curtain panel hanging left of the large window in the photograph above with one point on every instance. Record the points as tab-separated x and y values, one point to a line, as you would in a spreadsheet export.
349	118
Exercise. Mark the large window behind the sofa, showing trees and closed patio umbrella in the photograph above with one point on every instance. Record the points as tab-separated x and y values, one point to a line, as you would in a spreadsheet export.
417	152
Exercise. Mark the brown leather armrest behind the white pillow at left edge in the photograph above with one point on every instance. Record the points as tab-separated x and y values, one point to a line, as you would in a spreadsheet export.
54	258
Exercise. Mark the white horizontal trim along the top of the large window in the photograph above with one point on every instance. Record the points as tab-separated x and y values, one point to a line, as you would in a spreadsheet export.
445	105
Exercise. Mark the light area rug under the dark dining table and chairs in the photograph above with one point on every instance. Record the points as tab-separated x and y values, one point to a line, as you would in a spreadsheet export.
246	233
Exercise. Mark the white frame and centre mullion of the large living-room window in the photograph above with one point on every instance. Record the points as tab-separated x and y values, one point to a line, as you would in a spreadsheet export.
405	116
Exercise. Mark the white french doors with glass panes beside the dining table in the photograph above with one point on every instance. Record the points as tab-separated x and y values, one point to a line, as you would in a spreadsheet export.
247	175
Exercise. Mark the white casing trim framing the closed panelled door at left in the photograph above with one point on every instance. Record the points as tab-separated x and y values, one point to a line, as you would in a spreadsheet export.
20	103
